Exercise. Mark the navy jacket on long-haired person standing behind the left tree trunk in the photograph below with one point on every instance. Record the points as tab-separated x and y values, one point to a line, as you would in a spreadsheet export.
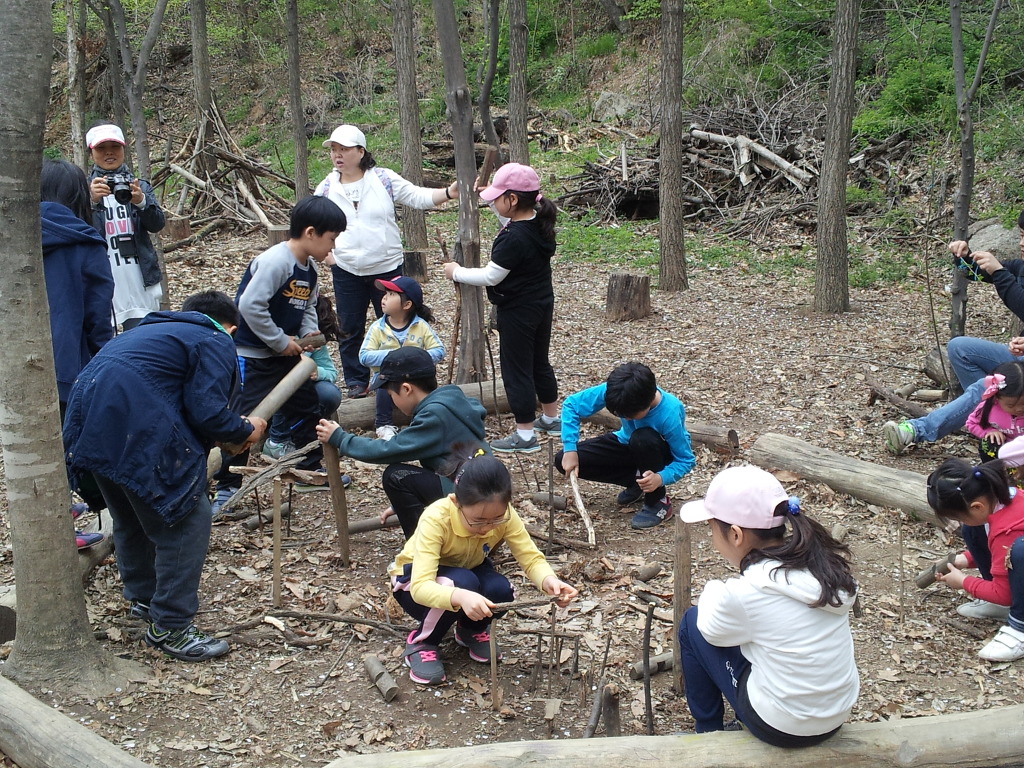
79	289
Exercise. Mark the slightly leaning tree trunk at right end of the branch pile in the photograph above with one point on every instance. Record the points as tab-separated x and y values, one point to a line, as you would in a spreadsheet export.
832	284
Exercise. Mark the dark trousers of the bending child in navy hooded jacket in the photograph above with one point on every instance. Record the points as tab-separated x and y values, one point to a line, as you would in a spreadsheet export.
160	565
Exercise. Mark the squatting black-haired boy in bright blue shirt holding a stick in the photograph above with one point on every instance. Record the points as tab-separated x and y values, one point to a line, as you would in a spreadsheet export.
650	451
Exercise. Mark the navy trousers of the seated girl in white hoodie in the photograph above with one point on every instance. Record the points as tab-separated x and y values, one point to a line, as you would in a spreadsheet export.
710	673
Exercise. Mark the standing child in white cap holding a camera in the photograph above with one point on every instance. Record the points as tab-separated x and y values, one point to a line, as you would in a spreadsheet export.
125	211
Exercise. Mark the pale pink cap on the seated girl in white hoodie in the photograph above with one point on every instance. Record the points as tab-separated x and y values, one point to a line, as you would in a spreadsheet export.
746	497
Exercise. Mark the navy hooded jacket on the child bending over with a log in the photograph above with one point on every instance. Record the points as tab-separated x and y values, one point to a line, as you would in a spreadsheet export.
147	410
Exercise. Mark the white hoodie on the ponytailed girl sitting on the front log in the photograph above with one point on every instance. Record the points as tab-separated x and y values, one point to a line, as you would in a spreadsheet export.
803	678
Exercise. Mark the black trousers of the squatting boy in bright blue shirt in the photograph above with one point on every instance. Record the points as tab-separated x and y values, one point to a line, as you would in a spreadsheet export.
605	459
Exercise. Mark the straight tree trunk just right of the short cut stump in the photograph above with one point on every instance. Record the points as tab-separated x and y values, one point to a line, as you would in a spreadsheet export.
672	262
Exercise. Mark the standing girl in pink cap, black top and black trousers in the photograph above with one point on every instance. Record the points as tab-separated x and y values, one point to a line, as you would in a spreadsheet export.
519	283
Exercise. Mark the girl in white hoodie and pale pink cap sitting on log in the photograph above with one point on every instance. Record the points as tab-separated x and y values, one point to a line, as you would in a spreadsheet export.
776	642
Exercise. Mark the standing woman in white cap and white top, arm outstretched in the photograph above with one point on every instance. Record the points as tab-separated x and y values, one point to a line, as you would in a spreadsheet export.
370	249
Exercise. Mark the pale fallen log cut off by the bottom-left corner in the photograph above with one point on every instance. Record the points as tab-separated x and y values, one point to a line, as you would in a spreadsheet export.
36	736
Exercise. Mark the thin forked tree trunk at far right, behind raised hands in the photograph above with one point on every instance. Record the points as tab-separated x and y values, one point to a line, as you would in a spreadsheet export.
965	99
